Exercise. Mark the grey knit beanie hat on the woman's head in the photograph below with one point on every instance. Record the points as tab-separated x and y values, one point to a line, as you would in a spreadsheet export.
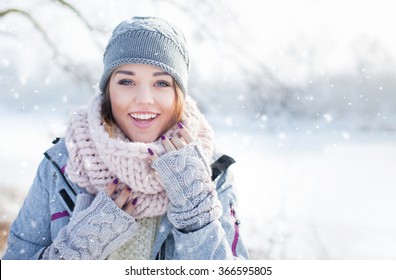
147	40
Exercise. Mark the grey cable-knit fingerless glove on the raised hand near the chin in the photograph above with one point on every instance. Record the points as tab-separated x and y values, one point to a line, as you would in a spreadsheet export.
192	194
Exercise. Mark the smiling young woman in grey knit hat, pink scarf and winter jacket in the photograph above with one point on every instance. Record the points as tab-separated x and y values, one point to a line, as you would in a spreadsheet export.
136	176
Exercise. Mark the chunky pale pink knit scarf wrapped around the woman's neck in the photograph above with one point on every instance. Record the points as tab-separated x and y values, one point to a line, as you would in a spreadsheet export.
95	158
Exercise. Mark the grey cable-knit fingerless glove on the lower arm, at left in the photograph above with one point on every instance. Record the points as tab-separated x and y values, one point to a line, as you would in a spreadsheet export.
93	233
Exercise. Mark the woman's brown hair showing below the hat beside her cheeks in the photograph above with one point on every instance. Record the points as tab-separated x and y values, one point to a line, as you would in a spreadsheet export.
110	123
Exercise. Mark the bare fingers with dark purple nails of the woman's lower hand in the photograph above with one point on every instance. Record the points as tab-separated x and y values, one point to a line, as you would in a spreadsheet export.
121	198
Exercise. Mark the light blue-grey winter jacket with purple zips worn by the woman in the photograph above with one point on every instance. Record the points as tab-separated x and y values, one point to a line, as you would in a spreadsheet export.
49	204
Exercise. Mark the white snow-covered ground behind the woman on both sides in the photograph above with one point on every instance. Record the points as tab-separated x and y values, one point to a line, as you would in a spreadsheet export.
302	195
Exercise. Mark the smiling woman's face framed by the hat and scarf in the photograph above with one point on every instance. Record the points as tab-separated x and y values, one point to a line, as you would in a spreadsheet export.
142	101
